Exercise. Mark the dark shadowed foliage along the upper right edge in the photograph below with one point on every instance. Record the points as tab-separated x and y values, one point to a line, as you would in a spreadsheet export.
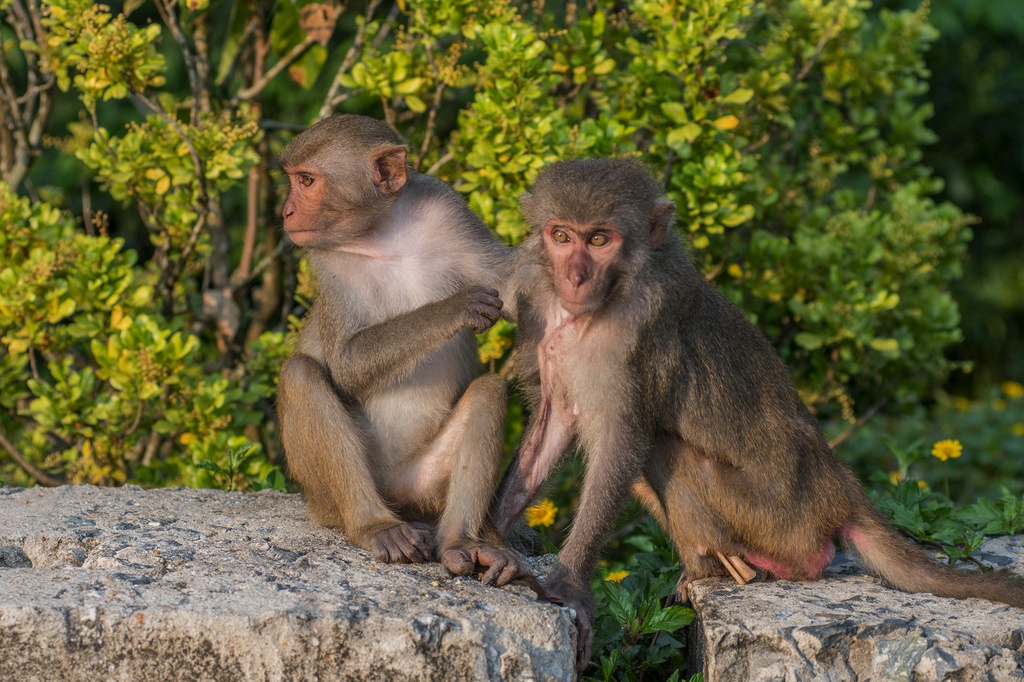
977	90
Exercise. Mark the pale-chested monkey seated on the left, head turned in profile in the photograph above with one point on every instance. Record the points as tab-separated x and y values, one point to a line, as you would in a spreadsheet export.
390	434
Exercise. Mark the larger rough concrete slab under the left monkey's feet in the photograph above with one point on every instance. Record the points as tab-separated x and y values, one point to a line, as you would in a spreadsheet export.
126	584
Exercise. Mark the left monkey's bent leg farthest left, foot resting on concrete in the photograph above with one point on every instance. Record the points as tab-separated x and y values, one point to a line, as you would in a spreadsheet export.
330	455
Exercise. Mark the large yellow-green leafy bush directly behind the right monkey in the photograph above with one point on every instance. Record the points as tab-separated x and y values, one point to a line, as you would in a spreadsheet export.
791	136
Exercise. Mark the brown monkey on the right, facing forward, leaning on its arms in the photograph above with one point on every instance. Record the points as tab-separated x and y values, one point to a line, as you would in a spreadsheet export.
626	351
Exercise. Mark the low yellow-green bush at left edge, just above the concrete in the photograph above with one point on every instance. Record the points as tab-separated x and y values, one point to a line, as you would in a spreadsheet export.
95	387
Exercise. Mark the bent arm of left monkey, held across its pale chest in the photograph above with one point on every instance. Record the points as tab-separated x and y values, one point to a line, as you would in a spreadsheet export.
375	356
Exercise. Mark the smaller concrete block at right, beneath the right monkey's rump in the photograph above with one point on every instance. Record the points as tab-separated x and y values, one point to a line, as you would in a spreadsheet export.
849	627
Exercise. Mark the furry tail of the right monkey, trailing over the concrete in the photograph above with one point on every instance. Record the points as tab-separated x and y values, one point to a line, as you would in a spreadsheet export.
902	564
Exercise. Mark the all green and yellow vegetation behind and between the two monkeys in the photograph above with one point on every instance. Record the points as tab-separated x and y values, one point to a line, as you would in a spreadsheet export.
852	176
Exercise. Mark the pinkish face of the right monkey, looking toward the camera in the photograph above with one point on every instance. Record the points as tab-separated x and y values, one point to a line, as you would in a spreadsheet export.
583	259
